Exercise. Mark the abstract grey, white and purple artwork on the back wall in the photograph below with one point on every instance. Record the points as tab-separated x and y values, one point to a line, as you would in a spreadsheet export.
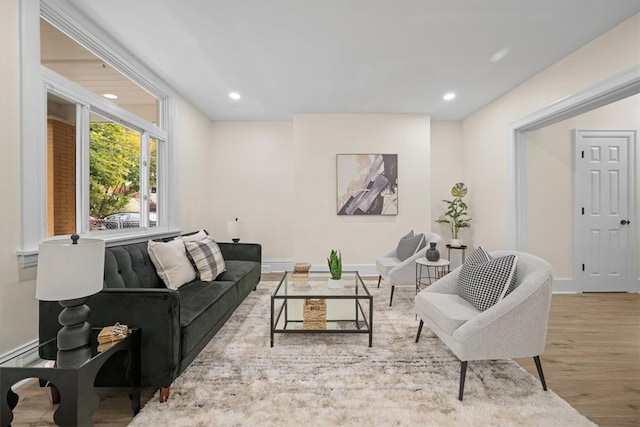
367	184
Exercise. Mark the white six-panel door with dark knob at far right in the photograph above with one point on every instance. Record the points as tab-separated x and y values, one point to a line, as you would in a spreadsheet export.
604	172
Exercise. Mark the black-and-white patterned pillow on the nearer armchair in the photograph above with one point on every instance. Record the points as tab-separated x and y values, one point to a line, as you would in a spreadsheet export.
483	284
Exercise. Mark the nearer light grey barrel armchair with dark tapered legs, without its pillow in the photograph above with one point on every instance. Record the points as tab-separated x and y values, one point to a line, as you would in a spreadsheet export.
515	327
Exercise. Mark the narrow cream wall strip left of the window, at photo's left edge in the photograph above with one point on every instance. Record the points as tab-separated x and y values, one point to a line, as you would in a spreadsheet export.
18	305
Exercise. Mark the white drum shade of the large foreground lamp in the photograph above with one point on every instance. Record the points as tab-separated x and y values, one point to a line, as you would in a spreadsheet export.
68	271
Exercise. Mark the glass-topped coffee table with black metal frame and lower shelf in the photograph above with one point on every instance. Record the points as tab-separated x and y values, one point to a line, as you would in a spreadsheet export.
307	305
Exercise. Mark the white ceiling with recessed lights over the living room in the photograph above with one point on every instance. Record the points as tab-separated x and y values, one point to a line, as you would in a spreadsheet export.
297	56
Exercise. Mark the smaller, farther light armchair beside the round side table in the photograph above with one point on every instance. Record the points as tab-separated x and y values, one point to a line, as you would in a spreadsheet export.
397	272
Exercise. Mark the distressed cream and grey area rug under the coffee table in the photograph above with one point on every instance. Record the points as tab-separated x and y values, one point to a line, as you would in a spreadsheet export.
337	380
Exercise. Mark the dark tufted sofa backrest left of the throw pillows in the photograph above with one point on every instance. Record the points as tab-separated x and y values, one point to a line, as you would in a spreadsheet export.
129	266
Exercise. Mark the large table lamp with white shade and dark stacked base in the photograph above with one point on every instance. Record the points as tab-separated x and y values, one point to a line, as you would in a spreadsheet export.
69	271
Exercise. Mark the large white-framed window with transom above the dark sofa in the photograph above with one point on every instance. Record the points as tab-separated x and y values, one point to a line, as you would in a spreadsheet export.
96	166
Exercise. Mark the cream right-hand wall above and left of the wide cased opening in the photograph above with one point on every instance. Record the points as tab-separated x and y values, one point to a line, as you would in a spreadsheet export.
485	132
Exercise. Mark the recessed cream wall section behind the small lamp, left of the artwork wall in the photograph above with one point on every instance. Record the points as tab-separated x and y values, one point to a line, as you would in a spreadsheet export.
252	167
